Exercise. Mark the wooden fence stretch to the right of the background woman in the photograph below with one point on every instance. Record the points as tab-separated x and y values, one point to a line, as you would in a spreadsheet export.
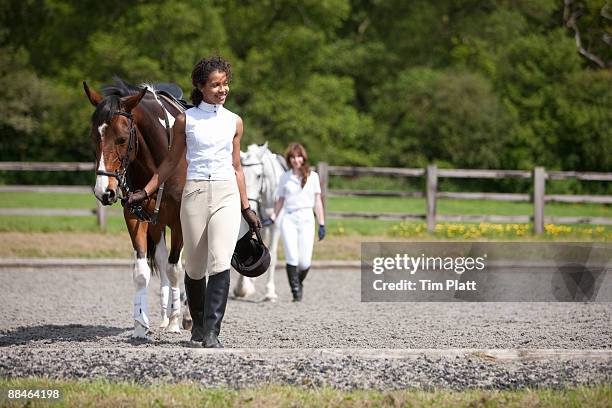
431	194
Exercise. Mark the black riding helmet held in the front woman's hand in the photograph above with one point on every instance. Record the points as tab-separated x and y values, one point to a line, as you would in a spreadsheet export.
251	258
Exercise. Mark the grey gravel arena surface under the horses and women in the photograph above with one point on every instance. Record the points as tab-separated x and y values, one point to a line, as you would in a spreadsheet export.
76	324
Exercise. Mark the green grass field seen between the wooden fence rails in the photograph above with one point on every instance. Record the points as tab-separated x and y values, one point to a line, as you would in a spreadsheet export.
340	227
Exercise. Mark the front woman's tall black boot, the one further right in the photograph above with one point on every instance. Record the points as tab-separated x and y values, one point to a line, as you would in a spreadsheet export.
217	291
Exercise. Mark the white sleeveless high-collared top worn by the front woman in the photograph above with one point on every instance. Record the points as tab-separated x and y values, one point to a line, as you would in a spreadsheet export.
210	130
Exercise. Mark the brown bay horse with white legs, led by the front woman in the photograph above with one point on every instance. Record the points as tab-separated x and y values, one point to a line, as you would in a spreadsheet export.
129	131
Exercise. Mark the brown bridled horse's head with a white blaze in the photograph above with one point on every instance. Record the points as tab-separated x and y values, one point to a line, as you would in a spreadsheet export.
114	135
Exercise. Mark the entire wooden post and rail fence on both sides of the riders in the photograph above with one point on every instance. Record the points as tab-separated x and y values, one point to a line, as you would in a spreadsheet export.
432	174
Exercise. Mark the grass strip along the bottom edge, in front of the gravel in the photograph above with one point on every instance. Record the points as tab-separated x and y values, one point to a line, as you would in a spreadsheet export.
101	393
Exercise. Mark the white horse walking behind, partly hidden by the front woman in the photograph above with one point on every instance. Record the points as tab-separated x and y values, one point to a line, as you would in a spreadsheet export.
262	171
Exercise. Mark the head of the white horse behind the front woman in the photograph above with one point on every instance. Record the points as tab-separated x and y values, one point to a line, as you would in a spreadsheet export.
262	171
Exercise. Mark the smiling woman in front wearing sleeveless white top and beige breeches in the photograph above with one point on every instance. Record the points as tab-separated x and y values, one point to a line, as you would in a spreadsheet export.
214	194
